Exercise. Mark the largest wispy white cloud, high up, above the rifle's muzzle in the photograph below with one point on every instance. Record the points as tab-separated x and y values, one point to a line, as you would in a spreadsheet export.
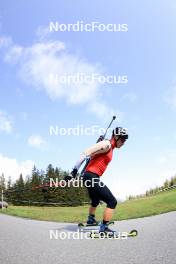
37	62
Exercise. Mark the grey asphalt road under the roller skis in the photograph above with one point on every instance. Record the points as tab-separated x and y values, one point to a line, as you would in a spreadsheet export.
24	241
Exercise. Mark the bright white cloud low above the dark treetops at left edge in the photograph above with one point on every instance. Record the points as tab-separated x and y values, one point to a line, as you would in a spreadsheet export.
11	167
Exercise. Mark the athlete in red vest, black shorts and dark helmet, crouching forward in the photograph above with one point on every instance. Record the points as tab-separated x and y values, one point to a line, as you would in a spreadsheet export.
100	156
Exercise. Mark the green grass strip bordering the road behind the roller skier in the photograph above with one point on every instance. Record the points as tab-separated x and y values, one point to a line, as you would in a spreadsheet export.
153	205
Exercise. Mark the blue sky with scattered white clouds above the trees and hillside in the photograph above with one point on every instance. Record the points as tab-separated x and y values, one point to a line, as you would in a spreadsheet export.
146	105
